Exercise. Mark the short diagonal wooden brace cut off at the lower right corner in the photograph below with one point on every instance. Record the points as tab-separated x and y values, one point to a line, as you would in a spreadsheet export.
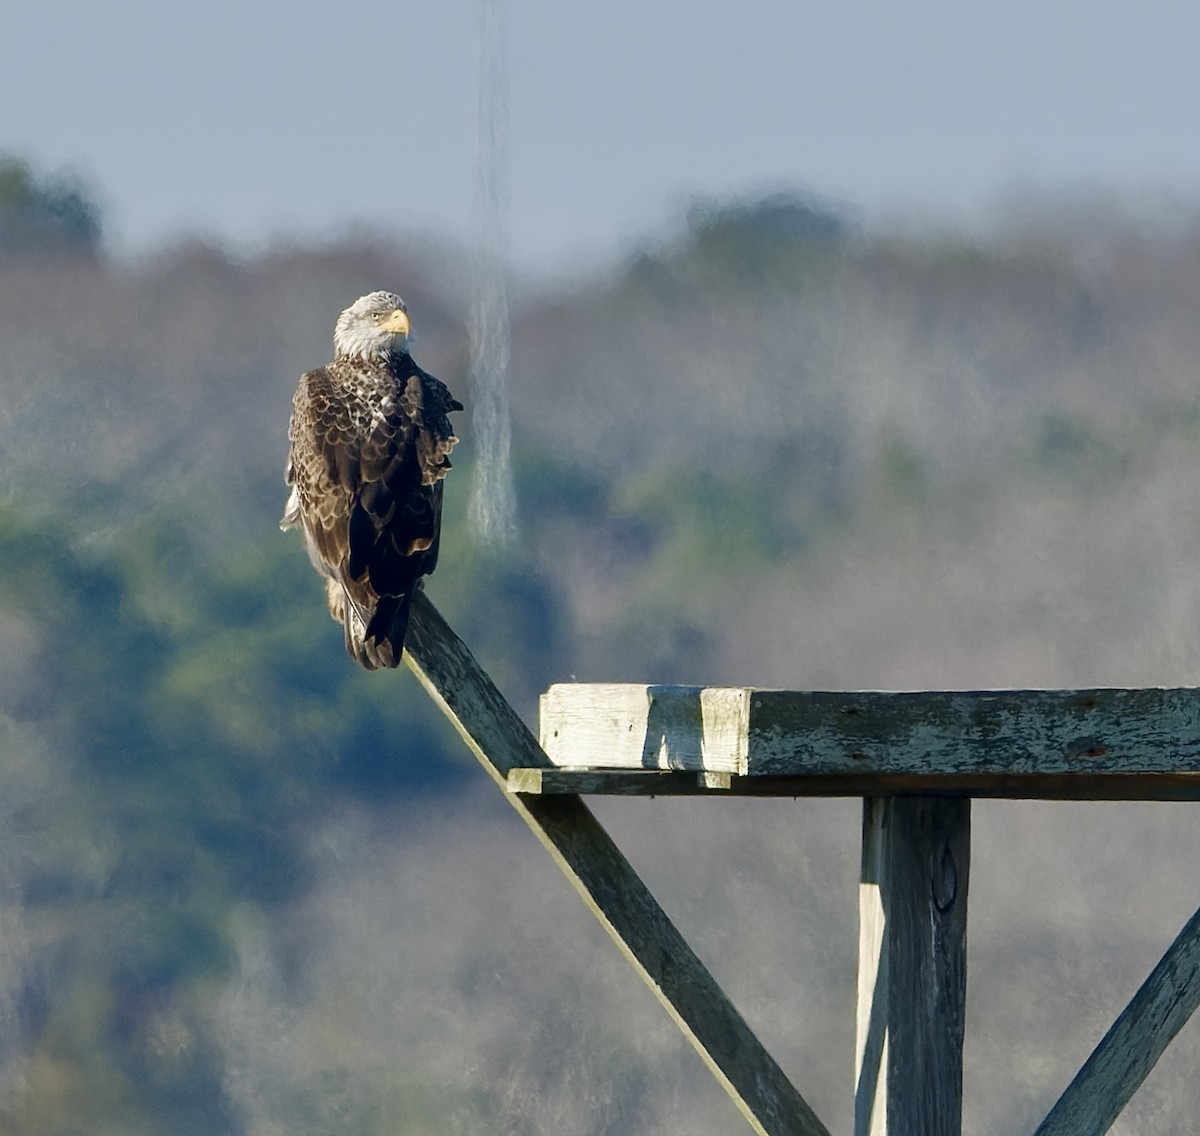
1132	1048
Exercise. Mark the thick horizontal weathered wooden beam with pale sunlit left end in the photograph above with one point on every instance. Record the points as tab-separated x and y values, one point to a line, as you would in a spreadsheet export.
785	734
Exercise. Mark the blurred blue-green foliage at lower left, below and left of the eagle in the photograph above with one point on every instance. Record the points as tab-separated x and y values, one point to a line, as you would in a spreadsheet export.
207	719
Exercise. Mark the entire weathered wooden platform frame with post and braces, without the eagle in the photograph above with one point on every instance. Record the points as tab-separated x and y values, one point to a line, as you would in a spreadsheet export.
916	760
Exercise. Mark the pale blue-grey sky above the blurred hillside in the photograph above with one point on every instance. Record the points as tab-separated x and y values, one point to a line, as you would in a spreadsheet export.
249	119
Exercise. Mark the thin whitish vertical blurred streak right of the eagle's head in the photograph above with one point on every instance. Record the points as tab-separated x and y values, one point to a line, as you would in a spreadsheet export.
493	508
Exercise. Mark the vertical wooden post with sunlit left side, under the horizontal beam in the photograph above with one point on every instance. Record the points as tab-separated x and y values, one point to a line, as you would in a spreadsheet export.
913	966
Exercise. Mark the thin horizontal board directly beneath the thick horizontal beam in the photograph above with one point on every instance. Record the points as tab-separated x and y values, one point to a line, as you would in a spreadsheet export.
674	783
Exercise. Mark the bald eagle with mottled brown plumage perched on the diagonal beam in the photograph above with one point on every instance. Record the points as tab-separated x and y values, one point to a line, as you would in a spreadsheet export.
370	446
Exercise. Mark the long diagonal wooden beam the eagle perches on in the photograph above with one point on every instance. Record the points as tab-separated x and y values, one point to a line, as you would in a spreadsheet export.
607	882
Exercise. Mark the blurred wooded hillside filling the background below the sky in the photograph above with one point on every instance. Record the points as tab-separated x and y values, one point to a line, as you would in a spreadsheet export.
244	885
